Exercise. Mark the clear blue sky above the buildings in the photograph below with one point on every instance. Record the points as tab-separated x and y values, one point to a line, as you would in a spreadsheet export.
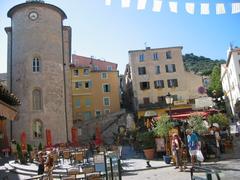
109	32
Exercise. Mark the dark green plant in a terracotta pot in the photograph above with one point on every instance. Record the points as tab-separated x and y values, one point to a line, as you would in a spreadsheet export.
147	142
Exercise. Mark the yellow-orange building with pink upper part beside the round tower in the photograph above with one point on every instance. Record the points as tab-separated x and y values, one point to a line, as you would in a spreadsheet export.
95	88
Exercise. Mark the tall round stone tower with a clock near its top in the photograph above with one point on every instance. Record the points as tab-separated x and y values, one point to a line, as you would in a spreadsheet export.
39	51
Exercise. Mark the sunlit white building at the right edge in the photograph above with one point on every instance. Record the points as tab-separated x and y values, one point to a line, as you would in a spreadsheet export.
230	78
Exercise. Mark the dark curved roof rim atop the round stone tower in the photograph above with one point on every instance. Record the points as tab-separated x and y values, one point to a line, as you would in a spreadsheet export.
36	3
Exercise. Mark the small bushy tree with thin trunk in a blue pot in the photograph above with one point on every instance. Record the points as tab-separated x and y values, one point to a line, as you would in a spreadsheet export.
161	129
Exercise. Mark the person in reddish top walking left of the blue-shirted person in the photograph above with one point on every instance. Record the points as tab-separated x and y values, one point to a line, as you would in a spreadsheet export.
177	150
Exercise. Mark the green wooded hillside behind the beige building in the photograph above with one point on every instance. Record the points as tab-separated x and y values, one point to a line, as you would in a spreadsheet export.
200	64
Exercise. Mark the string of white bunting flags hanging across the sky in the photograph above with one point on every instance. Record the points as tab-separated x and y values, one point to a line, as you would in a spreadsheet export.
190	7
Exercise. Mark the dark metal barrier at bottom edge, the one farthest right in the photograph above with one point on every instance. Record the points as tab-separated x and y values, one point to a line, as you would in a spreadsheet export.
208	172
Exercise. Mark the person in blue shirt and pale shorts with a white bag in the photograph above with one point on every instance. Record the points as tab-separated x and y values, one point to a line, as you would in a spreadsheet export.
192	145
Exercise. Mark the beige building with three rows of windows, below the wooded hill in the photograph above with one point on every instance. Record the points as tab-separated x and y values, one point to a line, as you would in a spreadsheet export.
153	73
